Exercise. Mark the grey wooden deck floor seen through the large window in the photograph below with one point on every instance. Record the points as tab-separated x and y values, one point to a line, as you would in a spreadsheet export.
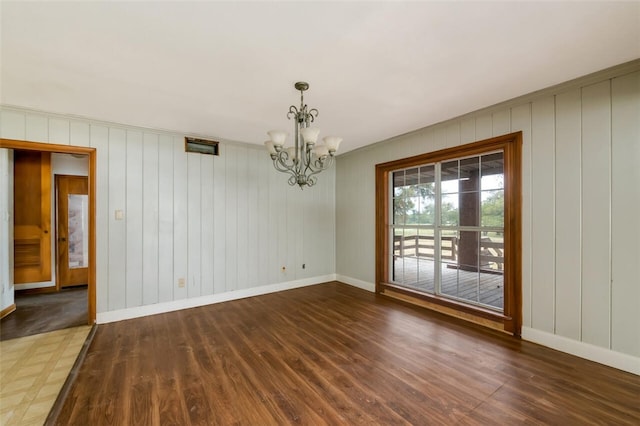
485	288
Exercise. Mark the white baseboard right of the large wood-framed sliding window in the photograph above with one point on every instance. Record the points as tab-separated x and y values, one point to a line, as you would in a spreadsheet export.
604	356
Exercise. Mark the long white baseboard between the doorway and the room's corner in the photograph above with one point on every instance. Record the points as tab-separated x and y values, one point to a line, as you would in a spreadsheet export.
176	305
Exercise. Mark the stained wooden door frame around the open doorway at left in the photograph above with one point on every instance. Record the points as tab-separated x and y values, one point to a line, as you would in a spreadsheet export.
91	152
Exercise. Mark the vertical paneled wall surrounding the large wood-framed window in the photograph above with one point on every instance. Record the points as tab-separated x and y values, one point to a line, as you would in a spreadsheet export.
581	204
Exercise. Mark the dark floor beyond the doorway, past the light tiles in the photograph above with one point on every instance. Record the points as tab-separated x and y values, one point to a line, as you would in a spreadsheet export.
43	312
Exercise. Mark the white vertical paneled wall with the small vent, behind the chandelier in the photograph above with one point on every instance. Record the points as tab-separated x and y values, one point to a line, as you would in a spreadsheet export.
220	223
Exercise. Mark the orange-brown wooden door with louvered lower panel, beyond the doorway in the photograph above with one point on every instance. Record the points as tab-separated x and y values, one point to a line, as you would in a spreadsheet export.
32	216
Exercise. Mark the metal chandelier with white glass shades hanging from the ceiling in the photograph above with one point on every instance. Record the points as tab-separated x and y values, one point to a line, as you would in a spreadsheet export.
305	158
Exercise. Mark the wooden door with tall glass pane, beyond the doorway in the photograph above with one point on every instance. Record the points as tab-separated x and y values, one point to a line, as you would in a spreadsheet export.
72	214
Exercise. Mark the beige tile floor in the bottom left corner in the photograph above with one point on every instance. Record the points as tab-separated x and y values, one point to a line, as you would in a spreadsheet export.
32	372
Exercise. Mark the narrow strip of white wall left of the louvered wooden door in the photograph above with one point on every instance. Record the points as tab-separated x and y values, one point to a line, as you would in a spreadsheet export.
6	229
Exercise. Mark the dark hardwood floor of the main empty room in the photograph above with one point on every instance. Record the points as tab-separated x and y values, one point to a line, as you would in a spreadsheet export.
334	354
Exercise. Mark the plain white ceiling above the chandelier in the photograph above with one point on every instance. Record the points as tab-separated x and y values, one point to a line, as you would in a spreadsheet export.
226	69
